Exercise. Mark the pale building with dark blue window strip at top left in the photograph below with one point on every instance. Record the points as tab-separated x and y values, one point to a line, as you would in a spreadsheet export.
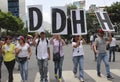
16	7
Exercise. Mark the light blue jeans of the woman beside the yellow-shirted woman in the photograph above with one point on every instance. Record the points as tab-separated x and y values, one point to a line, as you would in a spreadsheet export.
24	70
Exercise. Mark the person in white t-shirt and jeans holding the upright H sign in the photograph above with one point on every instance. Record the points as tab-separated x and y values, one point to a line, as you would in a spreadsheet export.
78	56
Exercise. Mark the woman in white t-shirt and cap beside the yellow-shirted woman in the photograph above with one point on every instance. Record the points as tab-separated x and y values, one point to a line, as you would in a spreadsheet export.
24	53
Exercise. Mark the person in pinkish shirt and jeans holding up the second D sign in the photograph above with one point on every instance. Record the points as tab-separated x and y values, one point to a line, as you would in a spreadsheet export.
58	44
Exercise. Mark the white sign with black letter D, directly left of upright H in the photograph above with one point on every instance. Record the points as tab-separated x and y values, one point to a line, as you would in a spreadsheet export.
59	20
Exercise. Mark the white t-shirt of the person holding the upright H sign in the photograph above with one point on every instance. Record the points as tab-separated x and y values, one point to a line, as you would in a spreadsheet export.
79	50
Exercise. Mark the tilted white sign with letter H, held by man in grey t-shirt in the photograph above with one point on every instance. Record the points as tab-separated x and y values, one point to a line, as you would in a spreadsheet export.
104	21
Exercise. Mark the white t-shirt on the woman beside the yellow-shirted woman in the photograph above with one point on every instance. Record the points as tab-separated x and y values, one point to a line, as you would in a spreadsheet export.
24	50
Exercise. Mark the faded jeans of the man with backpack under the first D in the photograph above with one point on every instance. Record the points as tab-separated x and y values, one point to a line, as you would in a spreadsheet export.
43	68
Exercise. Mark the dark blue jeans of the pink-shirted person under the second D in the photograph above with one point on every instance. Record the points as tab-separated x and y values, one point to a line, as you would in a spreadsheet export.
58	66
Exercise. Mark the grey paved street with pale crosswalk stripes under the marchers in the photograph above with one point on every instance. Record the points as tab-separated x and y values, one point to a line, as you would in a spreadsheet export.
90	68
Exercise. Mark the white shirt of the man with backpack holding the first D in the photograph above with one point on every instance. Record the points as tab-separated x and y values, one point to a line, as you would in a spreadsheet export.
42	48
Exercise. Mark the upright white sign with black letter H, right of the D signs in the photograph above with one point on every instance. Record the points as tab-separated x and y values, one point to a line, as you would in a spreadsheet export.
78	22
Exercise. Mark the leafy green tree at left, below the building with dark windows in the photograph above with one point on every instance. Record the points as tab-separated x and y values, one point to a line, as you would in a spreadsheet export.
10	23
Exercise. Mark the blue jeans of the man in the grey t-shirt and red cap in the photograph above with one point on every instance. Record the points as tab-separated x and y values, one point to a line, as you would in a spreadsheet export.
103	57
